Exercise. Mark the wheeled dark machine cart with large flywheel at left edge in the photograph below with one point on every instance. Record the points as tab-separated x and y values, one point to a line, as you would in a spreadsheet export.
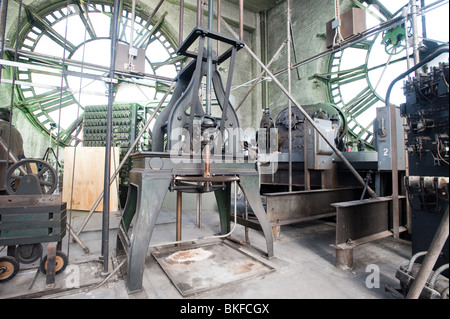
31	215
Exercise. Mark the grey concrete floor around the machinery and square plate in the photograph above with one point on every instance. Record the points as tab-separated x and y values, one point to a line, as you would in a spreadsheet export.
303	266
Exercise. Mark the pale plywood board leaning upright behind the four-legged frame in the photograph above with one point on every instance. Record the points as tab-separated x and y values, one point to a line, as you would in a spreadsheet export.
88	177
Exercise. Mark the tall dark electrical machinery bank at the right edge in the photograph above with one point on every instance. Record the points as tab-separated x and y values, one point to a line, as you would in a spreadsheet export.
427	113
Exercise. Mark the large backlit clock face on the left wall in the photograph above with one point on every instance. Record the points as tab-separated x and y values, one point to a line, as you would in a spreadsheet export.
66	43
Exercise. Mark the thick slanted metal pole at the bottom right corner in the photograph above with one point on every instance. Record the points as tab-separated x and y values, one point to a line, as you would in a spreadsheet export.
430	259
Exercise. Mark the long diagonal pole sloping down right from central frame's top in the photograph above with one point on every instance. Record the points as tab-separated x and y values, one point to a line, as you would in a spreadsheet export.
307	117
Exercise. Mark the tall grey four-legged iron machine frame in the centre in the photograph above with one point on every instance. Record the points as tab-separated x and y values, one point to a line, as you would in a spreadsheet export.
192	151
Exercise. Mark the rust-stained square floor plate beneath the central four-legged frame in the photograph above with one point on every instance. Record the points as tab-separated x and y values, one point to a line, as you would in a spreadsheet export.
202	268
